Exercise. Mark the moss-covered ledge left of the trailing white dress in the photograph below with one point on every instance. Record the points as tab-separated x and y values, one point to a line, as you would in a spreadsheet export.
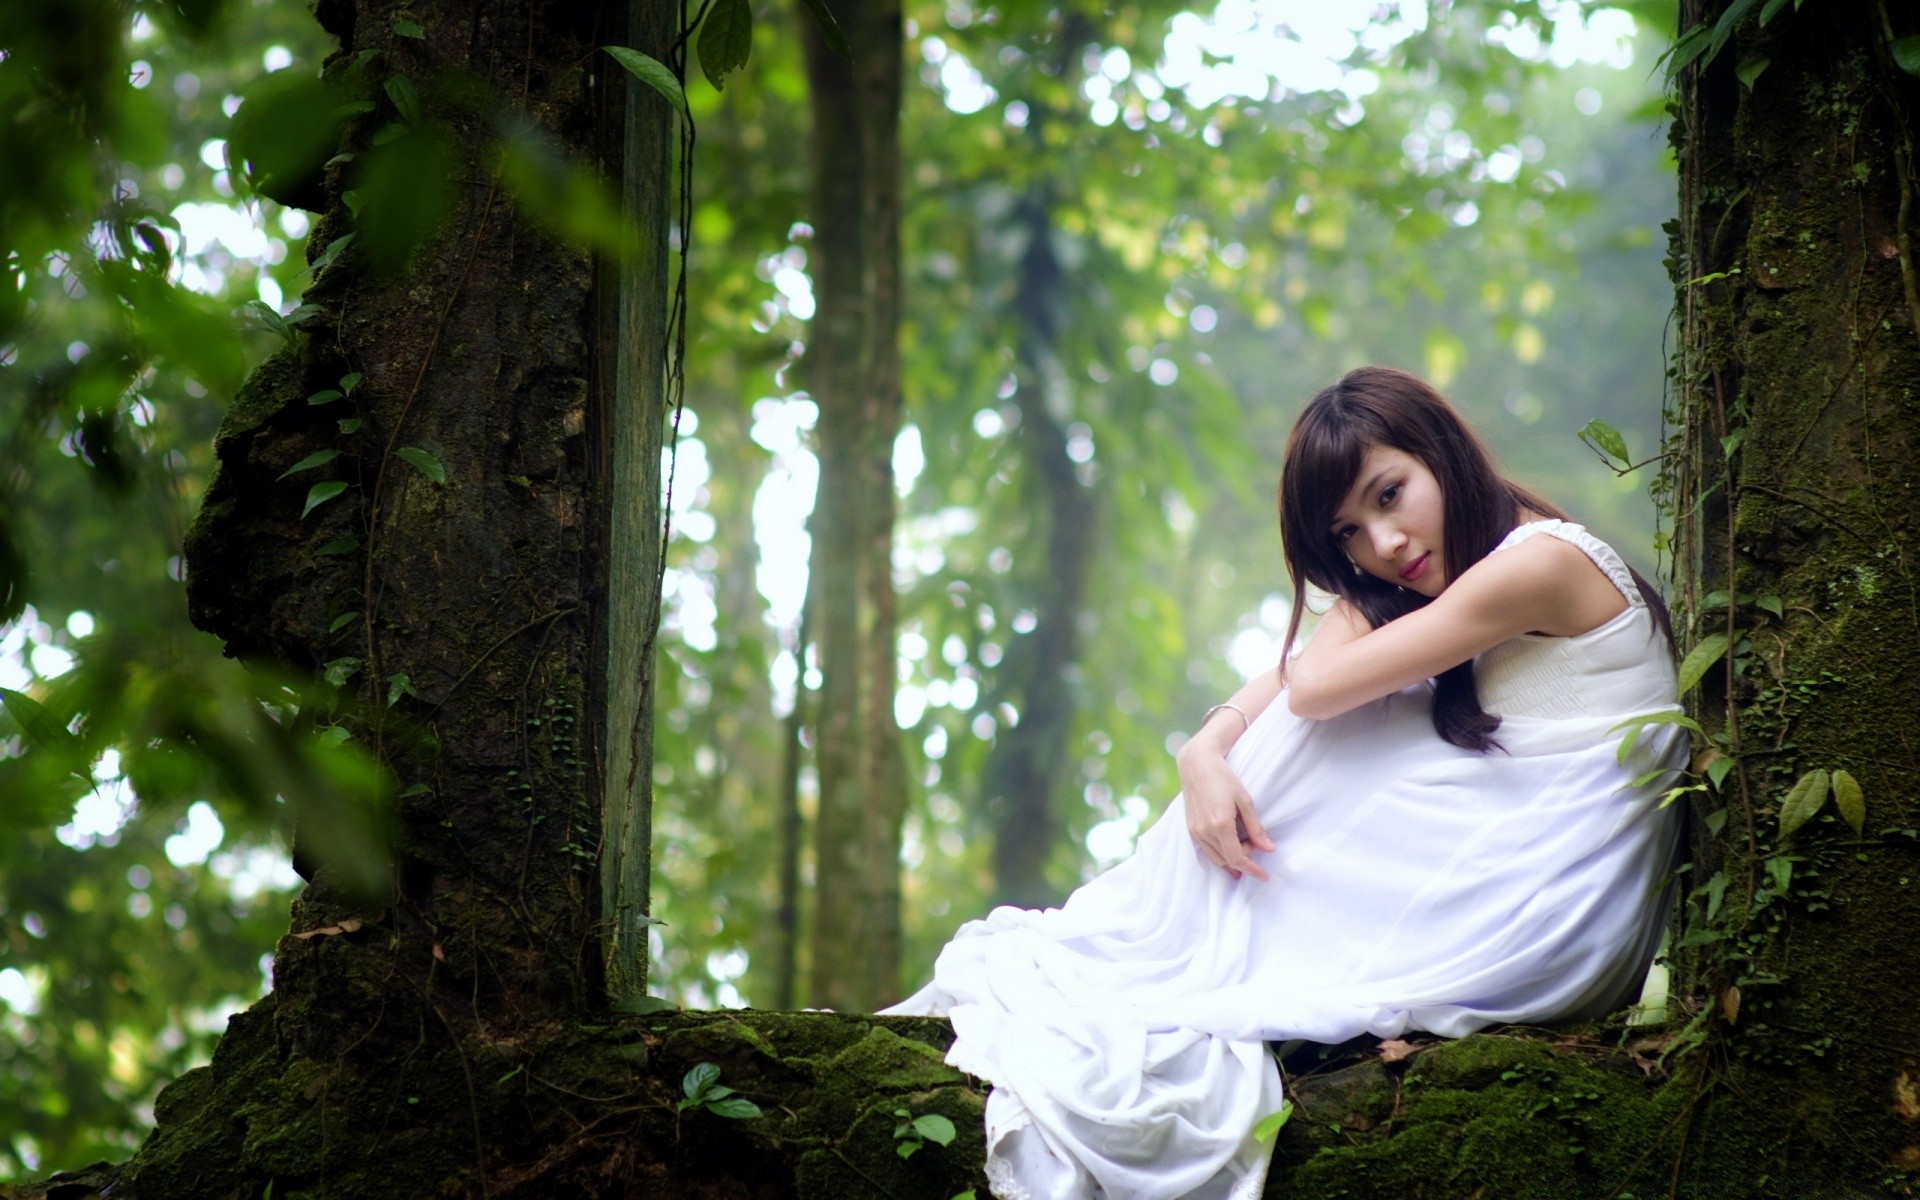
581	1111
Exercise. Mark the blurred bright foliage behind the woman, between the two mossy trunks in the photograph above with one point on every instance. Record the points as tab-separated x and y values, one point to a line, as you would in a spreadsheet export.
1485	218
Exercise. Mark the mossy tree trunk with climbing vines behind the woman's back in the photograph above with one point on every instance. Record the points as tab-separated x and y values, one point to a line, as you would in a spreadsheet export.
1800	358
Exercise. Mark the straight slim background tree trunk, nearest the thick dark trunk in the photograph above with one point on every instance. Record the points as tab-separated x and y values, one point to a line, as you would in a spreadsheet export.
853	370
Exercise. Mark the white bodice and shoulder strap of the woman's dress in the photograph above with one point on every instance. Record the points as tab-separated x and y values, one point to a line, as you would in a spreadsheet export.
1621	665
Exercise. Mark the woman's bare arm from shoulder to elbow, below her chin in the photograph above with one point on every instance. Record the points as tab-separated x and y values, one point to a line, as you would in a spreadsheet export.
1541	585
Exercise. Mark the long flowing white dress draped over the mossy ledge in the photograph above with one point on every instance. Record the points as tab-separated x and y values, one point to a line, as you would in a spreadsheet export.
1414	886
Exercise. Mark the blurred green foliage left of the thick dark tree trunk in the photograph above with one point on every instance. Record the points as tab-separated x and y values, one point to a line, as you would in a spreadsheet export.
130	930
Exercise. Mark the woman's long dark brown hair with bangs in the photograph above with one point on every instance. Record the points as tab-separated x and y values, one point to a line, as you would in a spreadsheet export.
1380	406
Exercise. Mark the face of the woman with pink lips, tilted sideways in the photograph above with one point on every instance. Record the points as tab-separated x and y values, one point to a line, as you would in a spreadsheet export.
1391	521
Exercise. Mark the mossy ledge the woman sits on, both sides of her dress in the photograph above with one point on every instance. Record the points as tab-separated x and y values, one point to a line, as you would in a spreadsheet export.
594	1111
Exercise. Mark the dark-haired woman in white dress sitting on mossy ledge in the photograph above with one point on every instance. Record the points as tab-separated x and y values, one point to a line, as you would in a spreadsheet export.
1418	823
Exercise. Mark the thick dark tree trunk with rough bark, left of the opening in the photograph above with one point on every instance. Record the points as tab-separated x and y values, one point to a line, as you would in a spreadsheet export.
500	644
